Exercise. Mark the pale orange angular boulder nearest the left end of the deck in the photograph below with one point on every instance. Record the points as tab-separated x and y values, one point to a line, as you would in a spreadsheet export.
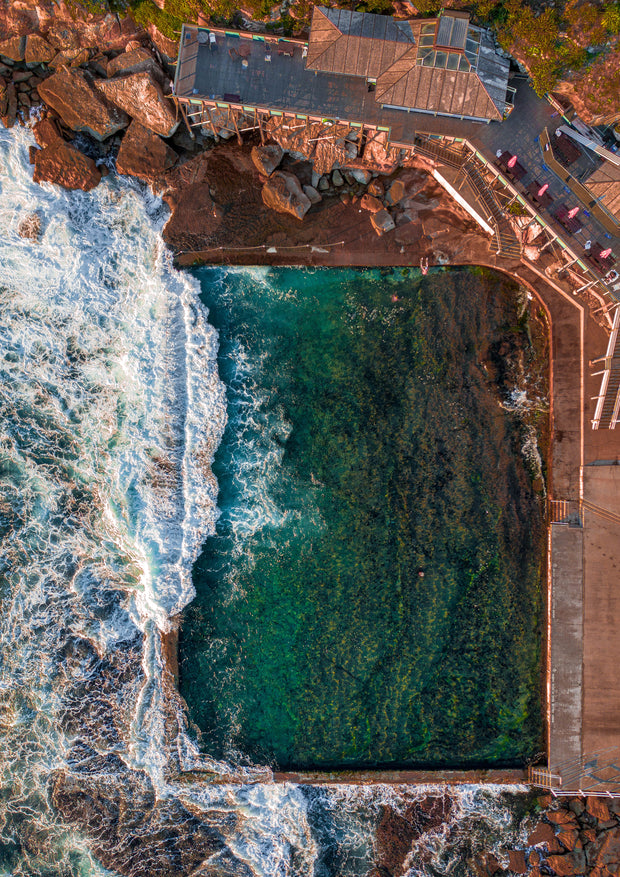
142	98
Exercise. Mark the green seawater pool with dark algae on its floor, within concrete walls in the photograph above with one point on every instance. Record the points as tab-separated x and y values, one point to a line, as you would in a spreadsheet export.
372	596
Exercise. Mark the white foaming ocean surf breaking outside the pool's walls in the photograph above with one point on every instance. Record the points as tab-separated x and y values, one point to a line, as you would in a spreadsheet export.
111	410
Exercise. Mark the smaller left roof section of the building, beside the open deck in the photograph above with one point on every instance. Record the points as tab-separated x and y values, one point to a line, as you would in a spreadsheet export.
355	43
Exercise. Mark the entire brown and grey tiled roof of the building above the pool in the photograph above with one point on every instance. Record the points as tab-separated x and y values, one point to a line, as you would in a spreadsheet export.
442	65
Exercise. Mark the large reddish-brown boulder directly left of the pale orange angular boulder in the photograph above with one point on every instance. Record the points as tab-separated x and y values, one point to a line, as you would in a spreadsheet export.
81	107
